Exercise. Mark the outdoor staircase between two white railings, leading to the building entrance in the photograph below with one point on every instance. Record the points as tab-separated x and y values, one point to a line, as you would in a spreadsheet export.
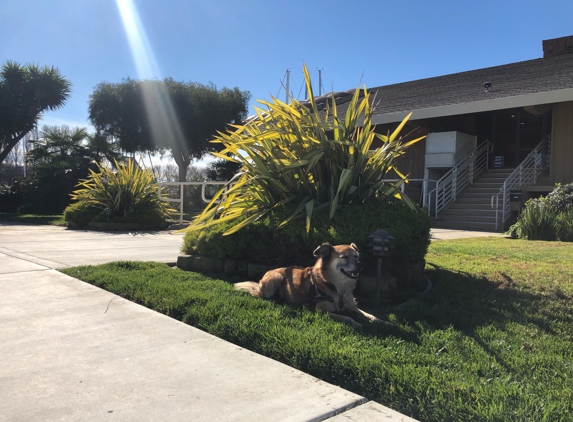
472	208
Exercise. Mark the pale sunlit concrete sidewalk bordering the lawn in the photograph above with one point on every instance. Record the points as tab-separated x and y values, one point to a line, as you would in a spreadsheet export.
71	351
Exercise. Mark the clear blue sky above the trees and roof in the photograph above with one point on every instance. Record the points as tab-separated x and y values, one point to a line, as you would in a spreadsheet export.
251	43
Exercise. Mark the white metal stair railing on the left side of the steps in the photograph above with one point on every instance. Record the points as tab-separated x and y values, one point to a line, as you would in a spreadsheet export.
456	179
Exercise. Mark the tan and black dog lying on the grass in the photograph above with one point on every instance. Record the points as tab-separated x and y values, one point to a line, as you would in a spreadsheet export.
328	285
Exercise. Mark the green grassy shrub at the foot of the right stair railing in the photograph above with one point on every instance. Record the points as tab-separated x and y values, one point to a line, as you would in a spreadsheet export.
536	222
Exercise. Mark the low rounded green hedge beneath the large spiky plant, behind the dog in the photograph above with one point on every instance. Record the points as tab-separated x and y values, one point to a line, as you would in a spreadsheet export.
290	245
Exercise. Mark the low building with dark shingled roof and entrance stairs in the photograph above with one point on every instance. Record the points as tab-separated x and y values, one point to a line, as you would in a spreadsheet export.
524	111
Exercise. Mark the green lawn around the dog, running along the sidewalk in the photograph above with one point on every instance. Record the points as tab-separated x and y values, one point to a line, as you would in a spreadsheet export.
490	342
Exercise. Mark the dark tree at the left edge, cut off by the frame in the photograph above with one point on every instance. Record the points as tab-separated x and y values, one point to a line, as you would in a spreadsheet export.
26	92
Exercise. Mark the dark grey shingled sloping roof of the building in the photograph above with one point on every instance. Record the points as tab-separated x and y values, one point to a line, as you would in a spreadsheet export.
528	83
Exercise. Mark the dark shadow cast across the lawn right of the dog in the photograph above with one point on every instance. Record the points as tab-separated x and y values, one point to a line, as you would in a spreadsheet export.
464	302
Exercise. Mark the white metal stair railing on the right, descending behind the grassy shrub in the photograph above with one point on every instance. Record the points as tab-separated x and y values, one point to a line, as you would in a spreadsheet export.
525	174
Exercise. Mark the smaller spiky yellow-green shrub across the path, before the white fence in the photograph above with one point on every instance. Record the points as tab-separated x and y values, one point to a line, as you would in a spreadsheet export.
131	194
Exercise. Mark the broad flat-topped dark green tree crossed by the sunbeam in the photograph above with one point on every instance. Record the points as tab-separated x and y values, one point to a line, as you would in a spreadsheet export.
152	115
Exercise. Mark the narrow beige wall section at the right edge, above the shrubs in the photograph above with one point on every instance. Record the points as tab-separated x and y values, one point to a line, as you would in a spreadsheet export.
562	143
